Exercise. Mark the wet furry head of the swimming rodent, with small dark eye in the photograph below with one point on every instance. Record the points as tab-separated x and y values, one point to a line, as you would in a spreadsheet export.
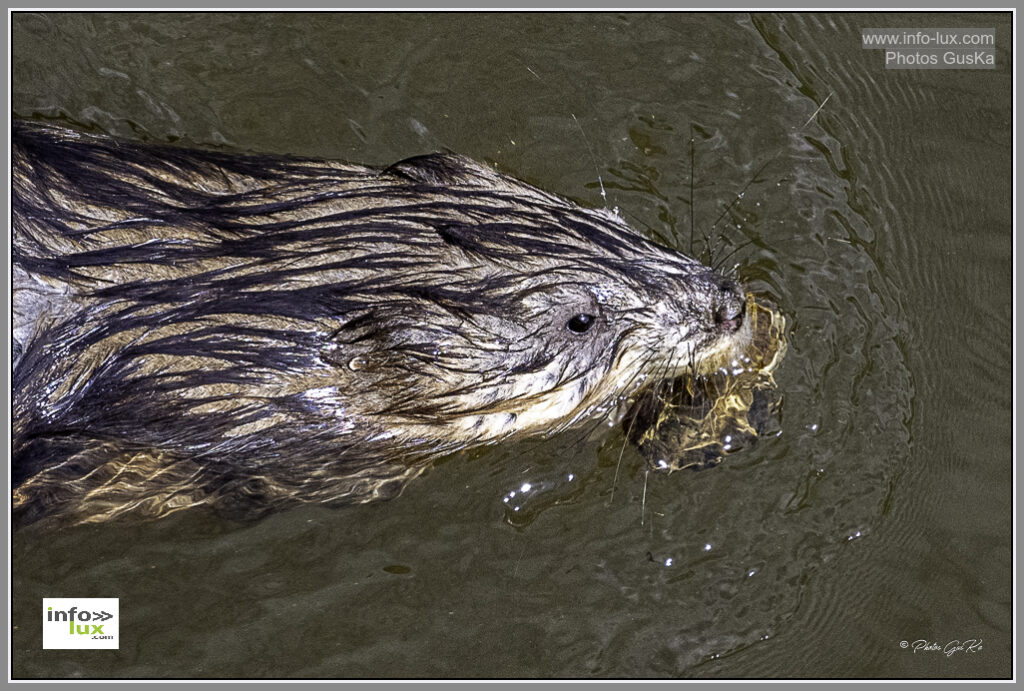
504	311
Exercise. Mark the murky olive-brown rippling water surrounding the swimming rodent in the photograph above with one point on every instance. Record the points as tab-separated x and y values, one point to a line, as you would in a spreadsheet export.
882	228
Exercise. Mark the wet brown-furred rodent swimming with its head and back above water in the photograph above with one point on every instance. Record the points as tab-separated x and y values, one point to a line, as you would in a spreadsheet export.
198	328
